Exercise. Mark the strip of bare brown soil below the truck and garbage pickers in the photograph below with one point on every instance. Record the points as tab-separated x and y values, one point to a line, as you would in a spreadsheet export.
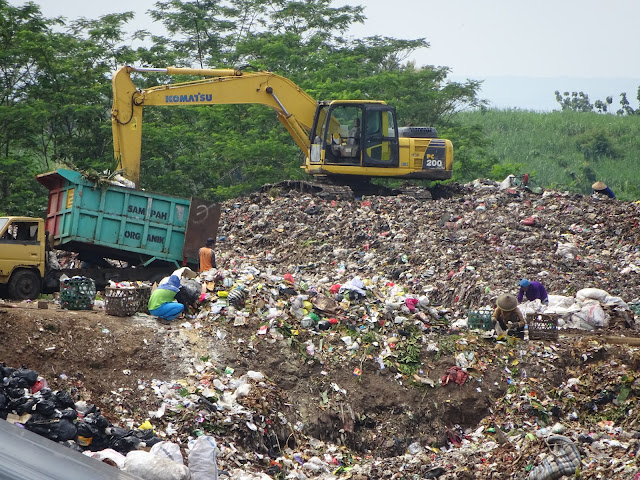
102	359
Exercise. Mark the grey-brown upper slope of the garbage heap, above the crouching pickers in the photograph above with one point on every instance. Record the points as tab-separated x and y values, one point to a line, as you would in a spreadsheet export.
464	250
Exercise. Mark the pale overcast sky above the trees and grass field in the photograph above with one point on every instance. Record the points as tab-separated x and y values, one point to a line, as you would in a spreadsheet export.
548	40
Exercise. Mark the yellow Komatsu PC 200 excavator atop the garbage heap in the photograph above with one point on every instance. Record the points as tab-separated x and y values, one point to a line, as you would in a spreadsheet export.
342	140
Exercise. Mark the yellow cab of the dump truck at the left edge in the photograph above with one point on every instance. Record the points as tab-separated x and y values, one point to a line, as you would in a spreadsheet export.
22	256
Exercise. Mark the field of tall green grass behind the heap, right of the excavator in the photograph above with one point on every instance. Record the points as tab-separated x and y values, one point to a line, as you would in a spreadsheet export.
565	150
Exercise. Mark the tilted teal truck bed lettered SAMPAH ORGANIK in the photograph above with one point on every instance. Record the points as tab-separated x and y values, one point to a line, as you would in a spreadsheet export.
126	224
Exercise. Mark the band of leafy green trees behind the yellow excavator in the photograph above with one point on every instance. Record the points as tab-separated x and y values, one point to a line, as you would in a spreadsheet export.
61	115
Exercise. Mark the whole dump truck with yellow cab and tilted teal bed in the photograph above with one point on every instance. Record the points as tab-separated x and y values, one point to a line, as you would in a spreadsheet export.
119	234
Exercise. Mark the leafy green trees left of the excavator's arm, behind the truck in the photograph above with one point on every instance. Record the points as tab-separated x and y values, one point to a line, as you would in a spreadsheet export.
55	97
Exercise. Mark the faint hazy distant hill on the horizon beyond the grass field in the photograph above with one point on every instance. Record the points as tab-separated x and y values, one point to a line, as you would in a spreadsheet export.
530	93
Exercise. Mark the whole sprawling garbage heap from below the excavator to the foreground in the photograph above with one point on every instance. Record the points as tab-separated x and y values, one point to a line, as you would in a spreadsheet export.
338	341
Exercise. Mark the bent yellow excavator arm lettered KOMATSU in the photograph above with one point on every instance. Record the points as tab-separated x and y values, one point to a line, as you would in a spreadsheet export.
294	108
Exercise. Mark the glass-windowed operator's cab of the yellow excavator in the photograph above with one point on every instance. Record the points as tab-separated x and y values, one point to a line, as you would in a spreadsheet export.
355	133
